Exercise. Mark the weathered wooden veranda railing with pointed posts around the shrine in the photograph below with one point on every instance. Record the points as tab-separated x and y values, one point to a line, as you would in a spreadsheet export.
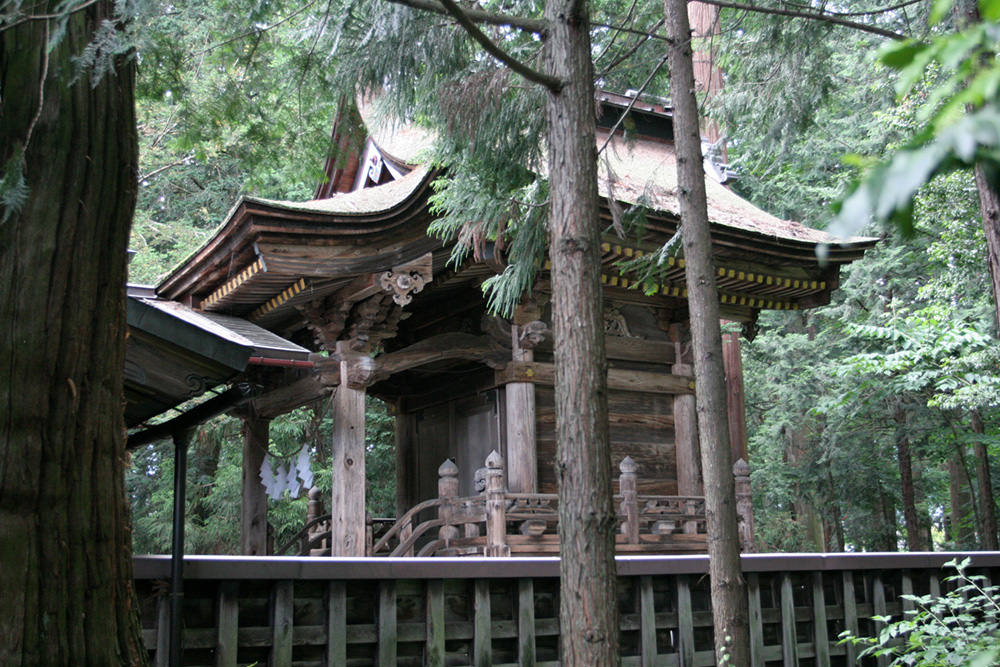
497	522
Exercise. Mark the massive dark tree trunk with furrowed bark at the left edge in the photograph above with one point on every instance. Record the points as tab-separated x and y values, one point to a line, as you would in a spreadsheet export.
66	579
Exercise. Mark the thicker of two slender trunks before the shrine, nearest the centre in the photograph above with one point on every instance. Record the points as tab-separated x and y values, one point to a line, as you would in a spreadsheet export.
588	609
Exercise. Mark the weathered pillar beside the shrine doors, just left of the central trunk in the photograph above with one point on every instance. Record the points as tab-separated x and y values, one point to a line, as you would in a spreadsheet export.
522	457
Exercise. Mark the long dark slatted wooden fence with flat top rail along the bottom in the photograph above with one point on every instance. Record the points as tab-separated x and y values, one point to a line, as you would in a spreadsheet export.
482	611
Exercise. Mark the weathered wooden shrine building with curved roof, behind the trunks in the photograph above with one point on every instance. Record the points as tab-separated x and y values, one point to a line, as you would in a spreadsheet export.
354	277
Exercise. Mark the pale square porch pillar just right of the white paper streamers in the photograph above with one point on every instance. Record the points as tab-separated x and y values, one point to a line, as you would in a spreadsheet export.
347	506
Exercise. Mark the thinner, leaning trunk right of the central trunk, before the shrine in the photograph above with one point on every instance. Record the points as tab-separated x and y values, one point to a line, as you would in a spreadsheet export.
729	595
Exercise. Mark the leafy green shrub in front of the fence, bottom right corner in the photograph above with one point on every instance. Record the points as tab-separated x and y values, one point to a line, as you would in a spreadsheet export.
961	627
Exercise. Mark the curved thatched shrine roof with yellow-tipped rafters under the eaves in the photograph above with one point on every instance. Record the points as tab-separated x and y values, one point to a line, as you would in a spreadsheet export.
269	255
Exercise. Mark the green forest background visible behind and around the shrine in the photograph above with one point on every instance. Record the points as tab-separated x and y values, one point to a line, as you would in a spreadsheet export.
873	423
